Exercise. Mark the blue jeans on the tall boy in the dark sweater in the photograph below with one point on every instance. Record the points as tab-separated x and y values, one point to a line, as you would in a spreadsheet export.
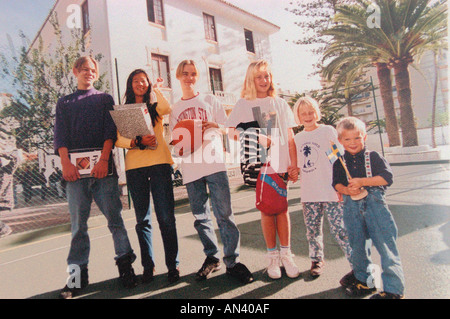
106	194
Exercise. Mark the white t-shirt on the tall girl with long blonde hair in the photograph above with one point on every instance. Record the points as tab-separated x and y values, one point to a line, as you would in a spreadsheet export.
276	113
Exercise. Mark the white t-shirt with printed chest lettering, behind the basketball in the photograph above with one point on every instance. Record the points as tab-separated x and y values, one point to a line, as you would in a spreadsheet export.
209	158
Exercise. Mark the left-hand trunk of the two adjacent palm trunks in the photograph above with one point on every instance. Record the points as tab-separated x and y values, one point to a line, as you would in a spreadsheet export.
384	77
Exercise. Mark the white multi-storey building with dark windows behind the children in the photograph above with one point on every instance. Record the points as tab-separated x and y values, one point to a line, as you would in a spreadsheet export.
156	35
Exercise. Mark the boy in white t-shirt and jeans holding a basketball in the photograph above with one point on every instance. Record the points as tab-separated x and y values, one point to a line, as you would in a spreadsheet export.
206	167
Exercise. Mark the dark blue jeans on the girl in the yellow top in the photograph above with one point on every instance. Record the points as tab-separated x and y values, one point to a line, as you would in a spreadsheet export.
156	179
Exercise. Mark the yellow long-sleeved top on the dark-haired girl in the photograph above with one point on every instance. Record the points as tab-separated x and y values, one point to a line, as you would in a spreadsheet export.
136	158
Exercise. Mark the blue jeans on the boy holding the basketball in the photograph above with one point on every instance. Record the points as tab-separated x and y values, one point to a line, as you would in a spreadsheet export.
219	191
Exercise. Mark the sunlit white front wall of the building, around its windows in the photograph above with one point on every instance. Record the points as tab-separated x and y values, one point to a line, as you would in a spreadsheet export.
134	39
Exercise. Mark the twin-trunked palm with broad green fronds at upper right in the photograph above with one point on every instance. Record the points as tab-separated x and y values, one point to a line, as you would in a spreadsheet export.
408	28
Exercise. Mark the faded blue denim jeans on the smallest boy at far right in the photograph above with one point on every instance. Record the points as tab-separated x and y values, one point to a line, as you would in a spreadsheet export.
370	219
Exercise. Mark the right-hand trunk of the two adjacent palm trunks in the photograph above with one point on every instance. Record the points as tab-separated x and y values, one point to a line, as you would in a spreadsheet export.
407	123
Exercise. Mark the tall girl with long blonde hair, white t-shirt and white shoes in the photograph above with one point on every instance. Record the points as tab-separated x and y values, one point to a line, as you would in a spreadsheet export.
259	91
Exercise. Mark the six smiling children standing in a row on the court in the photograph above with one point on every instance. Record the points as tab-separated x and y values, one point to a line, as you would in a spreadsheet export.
83	121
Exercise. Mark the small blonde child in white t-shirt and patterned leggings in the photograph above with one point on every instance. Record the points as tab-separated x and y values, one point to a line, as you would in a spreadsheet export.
317	194
